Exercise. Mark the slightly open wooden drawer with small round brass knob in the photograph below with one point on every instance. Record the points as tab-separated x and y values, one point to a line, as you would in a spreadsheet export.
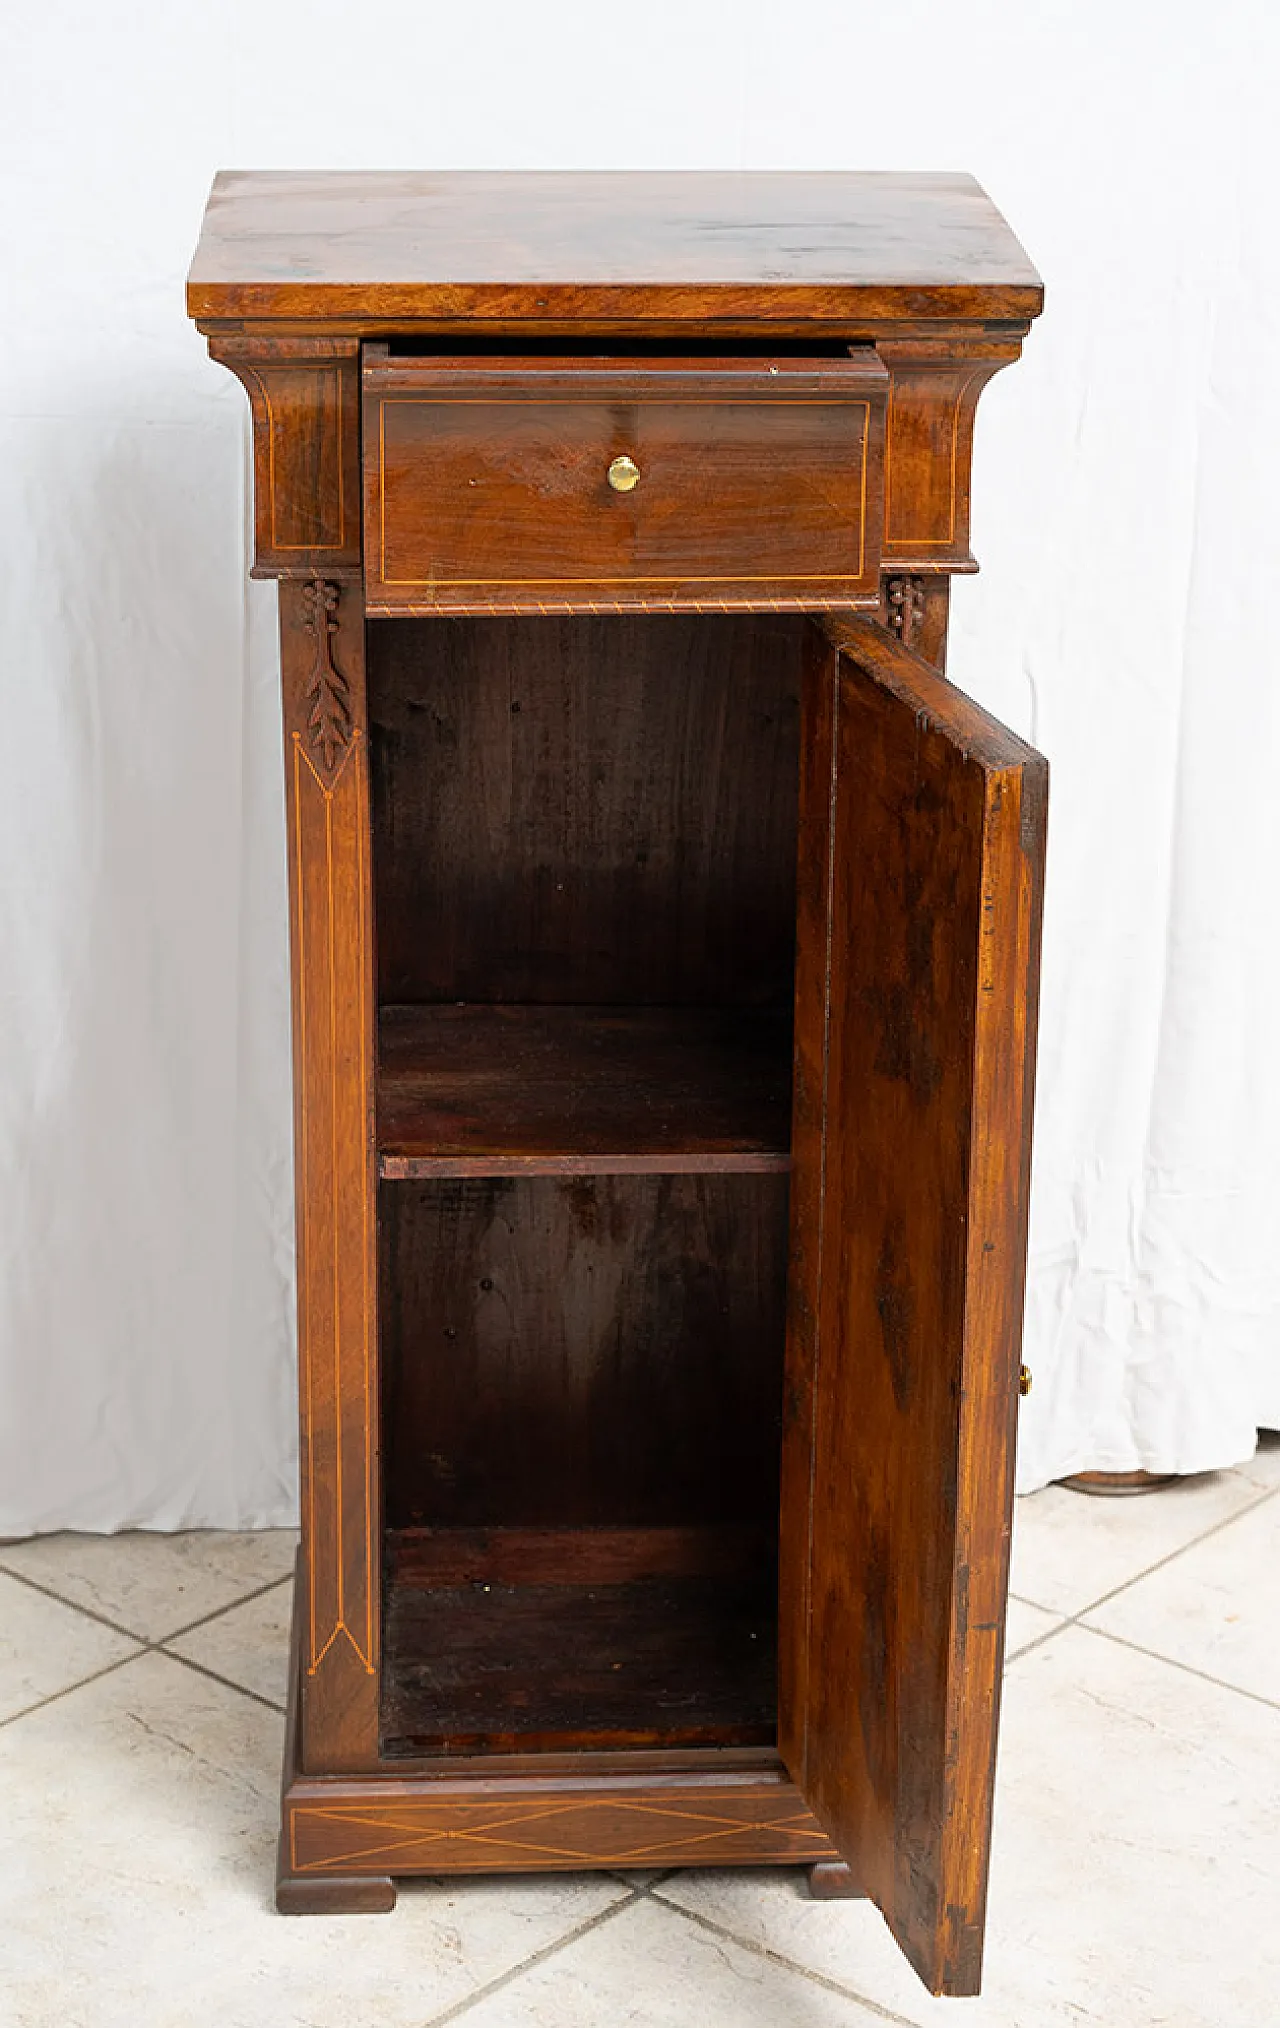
532	486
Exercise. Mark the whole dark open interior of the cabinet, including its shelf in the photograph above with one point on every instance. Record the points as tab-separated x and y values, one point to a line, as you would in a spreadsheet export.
585	901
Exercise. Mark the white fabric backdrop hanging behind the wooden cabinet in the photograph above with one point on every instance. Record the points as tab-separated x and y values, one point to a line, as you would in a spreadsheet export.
1125	514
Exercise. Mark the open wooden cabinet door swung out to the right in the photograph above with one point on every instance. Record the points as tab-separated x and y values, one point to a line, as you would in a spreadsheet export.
920	908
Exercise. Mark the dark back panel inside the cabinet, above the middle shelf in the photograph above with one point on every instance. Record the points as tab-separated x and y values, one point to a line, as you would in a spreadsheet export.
585	808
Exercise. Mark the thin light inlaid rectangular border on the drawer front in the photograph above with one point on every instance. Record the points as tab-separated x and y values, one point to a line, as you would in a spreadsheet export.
634	401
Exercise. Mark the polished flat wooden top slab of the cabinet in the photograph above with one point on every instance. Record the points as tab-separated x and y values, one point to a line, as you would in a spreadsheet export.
372	248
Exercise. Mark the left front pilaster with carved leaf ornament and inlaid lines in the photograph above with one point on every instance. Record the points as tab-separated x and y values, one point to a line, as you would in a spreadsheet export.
328	784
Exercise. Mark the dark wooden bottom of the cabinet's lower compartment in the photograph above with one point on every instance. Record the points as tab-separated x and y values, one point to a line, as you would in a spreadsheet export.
567	1640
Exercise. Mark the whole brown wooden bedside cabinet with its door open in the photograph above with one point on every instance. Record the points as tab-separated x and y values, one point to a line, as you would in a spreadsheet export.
664	950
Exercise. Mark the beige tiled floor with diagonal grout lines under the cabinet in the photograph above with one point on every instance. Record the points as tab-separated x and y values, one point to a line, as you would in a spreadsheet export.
1137	1875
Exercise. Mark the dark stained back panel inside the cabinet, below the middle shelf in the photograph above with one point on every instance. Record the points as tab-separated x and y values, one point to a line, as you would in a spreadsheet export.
591	1350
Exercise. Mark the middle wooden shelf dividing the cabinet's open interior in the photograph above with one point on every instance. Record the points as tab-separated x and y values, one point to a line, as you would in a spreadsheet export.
551	1090
